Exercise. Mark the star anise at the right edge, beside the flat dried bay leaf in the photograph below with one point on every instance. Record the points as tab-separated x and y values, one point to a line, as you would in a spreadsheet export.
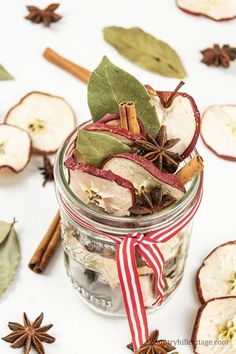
218	56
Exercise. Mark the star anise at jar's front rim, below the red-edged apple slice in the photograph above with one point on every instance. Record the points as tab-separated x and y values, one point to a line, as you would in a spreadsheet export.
150	202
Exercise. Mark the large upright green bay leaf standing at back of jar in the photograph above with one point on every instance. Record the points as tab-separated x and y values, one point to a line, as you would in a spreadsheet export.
109	85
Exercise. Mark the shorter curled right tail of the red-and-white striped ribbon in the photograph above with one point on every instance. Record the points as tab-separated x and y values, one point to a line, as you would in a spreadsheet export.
155	260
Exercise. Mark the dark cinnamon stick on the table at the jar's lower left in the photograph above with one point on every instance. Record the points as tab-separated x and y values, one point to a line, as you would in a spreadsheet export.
47	247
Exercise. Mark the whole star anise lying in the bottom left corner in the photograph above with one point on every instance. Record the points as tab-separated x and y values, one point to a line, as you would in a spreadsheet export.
29	335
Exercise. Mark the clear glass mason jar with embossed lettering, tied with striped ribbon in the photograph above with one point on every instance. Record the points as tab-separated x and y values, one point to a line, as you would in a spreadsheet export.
90	258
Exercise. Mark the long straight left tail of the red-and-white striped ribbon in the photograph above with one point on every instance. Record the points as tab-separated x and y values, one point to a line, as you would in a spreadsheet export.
132	293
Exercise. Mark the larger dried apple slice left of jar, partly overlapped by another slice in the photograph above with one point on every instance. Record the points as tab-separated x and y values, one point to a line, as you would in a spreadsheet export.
48	119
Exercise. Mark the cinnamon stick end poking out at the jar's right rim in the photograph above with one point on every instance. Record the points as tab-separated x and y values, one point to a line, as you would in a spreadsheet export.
190	170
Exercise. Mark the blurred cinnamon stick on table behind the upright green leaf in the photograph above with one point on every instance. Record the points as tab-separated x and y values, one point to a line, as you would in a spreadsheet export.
67	65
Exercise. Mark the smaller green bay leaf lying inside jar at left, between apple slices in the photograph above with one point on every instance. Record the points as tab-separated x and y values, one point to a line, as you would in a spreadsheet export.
94	147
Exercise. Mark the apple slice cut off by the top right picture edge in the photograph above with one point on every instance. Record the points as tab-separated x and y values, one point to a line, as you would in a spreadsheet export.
218	10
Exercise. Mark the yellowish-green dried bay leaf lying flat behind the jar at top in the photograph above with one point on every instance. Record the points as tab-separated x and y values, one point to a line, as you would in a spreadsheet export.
146	51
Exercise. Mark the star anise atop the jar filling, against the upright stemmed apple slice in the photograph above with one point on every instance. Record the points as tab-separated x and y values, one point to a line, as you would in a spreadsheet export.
158	151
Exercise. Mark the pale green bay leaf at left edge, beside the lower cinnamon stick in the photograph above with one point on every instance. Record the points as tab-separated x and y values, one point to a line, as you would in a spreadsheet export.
9	255
